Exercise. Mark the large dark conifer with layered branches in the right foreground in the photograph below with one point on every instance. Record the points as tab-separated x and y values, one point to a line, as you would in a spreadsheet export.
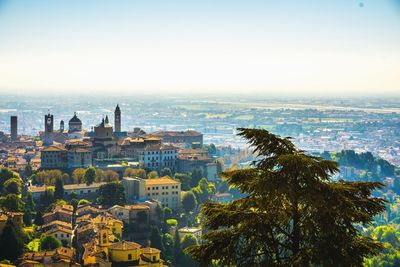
293	214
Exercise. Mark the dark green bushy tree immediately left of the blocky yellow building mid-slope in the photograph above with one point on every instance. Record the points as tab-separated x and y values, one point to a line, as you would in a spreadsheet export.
111	194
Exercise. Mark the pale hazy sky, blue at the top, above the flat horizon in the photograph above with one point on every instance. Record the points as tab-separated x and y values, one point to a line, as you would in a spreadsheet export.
284	47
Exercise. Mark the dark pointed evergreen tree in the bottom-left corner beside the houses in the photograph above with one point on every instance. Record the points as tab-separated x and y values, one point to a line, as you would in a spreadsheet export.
11	245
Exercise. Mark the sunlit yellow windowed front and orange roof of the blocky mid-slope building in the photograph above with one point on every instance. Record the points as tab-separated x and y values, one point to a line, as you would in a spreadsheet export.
166	190
